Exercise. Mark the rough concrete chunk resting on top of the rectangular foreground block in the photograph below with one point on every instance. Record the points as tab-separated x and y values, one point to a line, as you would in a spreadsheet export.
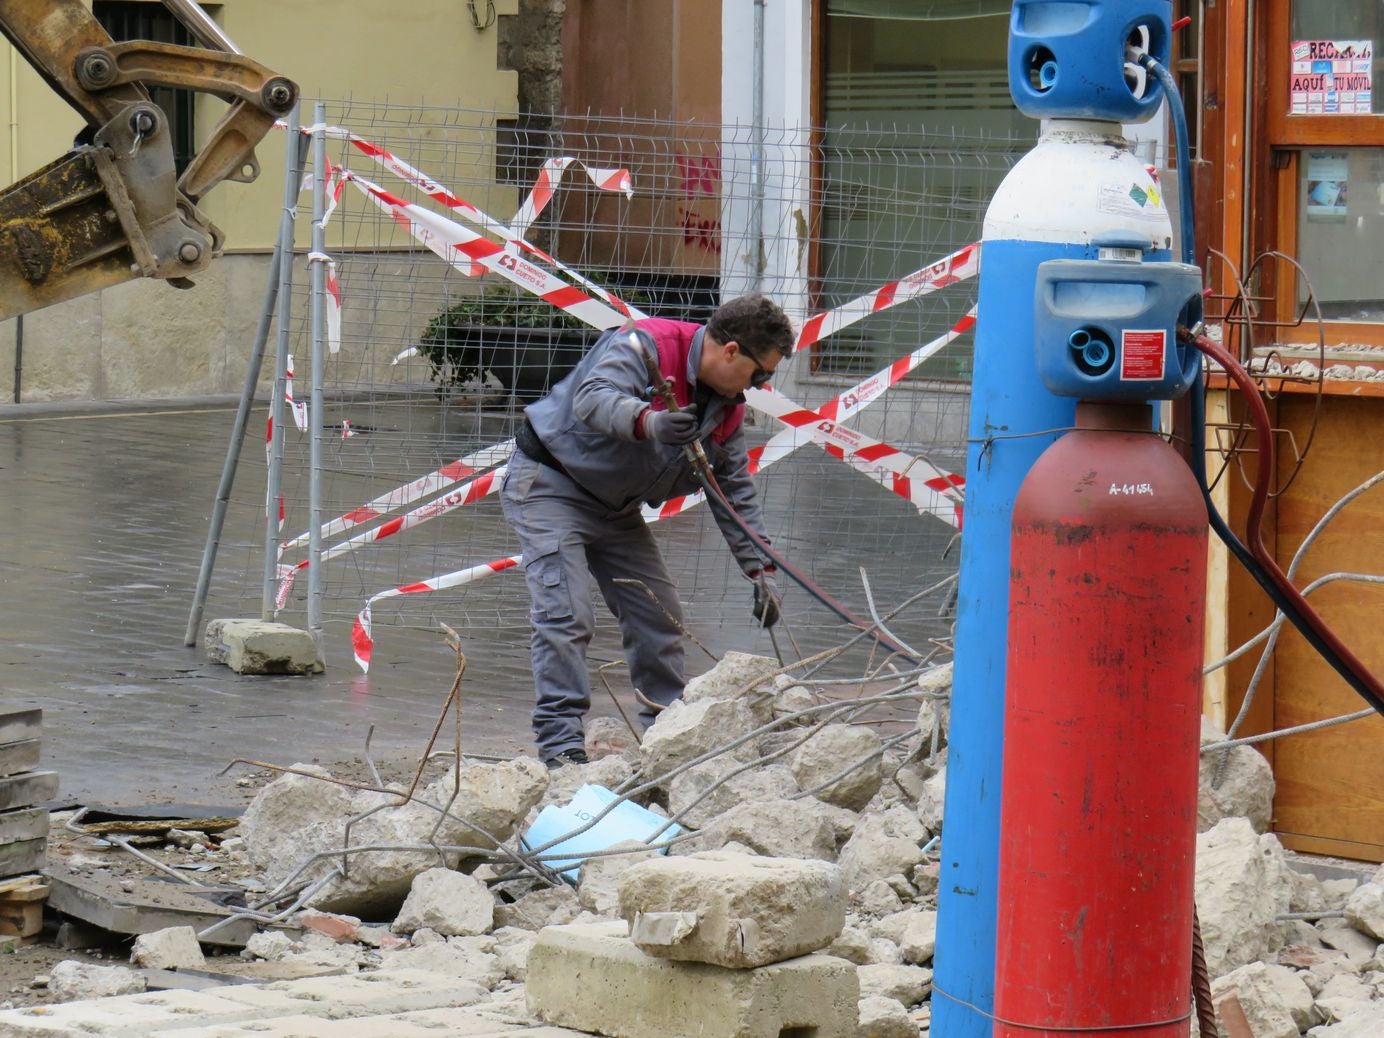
745	911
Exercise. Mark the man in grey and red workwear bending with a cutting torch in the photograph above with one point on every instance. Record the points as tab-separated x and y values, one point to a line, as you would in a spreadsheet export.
589	456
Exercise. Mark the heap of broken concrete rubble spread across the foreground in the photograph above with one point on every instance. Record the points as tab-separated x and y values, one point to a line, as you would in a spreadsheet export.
780	909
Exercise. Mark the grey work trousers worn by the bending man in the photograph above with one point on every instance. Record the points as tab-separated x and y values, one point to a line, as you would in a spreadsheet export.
568	539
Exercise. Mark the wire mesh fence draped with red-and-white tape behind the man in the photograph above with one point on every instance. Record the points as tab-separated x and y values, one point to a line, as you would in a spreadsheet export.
438	358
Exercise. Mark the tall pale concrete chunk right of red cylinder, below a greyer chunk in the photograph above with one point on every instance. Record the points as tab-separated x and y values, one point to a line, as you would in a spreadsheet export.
1242	885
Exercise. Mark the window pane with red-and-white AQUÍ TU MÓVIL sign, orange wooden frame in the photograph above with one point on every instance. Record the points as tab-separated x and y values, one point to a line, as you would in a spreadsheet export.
1335	63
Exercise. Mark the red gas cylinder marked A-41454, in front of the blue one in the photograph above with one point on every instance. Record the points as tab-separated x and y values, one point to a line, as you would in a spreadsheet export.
1102	725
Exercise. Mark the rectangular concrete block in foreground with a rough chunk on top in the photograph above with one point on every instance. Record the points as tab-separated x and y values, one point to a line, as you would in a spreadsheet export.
593	979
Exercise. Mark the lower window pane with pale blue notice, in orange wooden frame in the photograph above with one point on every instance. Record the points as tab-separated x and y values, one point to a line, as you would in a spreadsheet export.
1340	229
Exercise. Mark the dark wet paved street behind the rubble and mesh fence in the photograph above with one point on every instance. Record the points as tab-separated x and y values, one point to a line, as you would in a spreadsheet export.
104	517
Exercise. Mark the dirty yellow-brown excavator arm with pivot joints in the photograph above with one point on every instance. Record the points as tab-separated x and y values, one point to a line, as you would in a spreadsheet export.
114	210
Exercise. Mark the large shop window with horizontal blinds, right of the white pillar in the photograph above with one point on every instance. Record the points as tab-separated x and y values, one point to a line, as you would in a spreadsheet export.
920	131
